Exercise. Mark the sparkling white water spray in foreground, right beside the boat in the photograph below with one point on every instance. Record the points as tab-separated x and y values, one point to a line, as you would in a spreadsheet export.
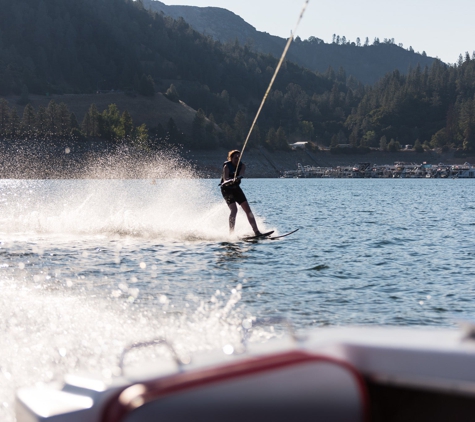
48	334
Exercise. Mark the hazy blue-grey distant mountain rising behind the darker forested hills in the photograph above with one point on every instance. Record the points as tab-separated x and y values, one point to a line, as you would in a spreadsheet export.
368	63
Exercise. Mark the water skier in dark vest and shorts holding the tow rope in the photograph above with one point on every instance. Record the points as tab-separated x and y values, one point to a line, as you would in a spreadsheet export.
233	193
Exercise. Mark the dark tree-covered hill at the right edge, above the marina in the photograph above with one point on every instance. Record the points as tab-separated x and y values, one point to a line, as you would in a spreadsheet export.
433	105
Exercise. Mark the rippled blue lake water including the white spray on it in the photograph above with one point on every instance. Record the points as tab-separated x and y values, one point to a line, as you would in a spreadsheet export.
88	266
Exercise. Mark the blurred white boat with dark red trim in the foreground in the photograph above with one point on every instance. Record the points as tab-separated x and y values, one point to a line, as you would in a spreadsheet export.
330	374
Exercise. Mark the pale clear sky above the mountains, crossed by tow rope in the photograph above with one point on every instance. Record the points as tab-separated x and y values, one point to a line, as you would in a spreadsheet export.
441	28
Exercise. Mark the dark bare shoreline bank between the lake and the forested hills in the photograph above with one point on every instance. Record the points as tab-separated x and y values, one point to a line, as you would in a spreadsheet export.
23	163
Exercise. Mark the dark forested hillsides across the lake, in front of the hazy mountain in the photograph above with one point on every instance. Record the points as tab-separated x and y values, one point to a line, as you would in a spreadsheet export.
67	46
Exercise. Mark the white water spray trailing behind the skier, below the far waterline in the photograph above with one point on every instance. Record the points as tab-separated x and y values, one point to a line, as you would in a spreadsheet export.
163	210
